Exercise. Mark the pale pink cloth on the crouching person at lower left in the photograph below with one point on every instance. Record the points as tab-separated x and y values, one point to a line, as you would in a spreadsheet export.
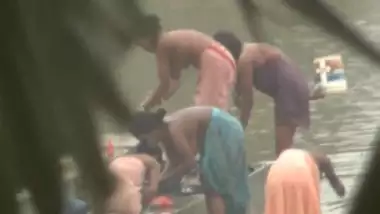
130	174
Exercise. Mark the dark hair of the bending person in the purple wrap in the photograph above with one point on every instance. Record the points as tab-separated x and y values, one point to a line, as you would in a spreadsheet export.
230	41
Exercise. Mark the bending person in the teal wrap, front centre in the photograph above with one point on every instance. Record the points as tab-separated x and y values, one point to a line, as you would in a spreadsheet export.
219	139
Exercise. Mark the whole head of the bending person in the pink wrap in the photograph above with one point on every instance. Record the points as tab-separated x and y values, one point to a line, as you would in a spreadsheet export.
147	32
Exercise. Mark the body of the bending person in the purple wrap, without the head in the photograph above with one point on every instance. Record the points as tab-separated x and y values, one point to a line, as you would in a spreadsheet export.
270	71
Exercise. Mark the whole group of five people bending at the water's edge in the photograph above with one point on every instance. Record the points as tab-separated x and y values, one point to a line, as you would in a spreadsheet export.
207	129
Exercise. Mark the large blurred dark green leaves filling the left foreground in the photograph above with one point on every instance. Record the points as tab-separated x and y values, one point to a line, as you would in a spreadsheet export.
50	84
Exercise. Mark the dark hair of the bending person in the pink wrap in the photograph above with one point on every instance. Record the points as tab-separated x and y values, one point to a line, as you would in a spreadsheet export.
147	27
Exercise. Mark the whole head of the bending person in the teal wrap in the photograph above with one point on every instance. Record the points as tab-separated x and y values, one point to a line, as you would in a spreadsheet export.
148	125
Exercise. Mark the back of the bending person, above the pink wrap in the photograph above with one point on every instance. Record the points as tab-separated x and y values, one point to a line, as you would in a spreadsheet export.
184	47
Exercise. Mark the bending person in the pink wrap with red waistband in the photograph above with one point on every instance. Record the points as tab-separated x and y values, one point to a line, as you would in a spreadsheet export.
178	49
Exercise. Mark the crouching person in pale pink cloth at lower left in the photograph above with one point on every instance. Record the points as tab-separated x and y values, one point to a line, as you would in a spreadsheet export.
132	172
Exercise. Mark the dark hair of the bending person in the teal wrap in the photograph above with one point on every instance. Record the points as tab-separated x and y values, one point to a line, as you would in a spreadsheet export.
144	122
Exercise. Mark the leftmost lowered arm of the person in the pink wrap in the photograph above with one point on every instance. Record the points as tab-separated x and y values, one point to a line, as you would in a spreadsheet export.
163	66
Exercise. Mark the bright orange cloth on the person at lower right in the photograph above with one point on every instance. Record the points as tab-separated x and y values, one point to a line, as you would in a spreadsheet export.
292	185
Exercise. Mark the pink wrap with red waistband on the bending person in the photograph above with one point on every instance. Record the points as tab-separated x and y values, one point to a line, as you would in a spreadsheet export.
216	78
